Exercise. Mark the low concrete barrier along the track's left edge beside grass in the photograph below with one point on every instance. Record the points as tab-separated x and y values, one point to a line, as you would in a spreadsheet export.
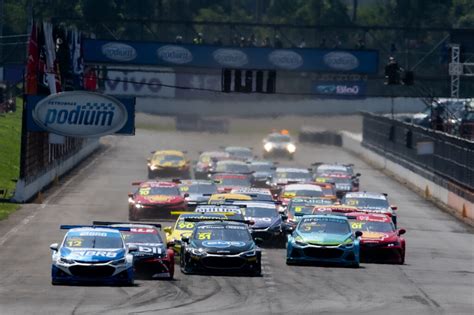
25	191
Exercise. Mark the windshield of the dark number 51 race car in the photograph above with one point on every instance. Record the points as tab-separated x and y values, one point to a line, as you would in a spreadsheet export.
223	233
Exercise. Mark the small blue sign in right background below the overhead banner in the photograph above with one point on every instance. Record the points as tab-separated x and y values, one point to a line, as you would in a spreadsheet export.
340	88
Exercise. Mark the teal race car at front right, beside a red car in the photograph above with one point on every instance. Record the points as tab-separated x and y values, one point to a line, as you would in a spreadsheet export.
323	239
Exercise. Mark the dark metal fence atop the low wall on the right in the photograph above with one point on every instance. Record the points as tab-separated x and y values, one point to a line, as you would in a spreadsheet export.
432	153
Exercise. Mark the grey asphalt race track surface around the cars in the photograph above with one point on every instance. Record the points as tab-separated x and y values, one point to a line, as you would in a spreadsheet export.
437	278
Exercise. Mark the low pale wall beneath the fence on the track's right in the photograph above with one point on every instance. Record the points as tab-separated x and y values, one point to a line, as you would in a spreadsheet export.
448	200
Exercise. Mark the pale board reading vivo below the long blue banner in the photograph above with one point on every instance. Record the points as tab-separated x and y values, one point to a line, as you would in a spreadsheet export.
146	82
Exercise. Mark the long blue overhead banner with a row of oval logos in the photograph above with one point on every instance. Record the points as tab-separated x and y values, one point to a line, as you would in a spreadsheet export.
207	56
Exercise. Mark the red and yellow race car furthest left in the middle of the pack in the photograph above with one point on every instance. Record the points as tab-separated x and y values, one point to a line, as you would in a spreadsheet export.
155	199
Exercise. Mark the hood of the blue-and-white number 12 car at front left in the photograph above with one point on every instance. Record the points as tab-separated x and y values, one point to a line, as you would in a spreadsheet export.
92	254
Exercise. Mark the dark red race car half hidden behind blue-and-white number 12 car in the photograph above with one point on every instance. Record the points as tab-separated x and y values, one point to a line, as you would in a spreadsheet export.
152	259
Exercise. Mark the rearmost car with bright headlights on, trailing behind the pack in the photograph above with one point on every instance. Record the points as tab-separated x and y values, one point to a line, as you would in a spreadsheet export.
279	145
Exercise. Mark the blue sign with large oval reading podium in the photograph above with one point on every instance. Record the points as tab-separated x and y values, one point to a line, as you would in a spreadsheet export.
80	114
